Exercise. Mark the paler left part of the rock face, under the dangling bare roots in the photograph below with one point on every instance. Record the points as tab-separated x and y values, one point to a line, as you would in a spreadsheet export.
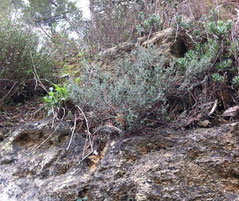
42	174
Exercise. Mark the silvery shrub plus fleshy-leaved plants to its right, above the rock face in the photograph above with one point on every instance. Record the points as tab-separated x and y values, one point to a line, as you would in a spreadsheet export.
145	88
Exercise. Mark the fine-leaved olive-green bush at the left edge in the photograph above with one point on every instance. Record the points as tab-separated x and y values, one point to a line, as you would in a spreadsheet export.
20	58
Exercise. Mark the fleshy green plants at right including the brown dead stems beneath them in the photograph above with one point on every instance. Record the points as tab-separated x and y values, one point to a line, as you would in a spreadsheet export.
208	69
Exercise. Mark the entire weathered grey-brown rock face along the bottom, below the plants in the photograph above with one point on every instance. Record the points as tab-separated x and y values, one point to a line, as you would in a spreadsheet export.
196	165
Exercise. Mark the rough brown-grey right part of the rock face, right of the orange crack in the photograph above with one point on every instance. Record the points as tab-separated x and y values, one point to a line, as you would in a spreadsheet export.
195	165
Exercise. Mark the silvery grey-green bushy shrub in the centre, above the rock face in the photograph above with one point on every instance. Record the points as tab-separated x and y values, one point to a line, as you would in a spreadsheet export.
130	91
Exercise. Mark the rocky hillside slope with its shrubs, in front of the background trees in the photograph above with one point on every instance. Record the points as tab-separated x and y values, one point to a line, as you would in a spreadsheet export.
153	118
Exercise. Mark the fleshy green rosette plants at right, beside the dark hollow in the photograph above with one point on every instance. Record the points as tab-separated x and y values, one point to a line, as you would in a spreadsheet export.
210	52
